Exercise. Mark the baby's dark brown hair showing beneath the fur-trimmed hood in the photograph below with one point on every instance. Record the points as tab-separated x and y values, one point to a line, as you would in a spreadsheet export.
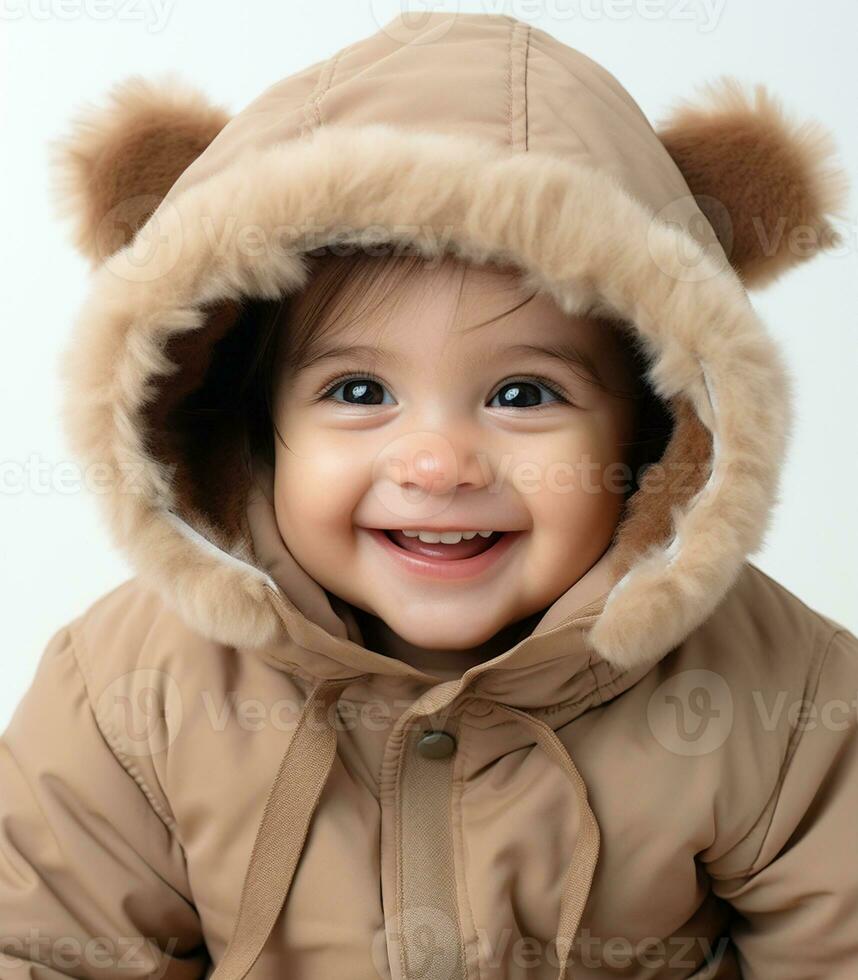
352	285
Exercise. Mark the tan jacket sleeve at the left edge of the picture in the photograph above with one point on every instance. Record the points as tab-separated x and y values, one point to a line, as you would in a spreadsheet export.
92	880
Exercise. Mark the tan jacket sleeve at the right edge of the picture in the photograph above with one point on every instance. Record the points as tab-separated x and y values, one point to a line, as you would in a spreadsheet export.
798	902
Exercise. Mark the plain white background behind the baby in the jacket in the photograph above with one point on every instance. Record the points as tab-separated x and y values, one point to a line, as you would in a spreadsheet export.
57	54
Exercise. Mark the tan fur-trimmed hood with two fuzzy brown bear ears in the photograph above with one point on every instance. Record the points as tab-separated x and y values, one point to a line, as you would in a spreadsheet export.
471	133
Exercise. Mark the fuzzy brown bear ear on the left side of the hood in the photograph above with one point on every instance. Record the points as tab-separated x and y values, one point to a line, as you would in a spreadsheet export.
117	162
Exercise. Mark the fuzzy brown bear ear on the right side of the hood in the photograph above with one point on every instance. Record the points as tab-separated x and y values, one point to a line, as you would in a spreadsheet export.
768	184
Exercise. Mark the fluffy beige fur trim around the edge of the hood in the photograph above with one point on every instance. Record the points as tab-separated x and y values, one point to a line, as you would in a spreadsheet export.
574	232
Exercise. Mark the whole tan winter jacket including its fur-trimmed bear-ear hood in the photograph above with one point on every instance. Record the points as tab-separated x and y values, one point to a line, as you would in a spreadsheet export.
212	773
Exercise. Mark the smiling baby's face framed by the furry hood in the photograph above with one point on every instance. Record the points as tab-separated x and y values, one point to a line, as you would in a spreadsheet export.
424	424
